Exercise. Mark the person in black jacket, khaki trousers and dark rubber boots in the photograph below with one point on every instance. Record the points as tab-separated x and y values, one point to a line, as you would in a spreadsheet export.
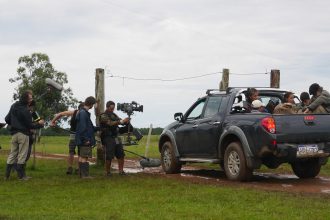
20	120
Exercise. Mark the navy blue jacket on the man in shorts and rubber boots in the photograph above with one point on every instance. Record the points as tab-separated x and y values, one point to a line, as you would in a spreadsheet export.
84	128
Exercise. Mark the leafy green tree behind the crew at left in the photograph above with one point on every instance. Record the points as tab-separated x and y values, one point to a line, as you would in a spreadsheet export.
31	74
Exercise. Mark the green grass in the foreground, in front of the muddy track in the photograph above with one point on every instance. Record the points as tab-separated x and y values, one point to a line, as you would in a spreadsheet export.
52	195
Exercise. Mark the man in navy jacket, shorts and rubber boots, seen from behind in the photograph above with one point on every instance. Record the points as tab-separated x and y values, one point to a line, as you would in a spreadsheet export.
85	138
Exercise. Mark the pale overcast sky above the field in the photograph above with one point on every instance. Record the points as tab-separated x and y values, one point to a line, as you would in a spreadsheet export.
167	39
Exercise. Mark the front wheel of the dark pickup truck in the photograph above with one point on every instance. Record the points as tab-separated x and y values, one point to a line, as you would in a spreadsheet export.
170	162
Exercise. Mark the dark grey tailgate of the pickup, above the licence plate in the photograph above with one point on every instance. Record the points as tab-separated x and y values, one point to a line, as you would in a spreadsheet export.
302	128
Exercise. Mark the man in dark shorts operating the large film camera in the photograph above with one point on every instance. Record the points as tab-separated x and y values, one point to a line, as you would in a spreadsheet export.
109	123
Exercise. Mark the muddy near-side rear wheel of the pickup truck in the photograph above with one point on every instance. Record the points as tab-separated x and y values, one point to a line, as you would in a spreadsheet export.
235	163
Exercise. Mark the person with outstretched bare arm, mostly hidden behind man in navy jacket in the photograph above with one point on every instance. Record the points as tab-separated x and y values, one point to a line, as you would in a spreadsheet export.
72	141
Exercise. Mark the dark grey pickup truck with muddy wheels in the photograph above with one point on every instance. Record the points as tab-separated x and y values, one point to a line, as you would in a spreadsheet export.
218	128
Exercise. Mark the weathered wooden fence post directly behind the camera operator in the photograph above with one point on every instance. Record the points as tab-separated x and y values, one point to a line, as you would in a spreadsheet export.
99	96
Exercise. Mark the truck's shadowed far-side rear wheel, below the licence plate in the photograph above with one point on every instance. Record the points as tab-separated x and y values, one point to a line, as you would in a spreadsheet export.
304	169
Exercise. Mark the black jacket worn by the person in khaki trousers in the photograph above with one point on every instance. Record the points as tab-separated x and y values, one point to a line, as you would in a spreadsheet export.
20	119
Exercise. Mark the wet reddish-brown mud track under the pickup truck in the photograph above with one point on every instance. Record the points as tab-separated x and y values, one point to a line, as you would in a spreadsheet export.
263	181
